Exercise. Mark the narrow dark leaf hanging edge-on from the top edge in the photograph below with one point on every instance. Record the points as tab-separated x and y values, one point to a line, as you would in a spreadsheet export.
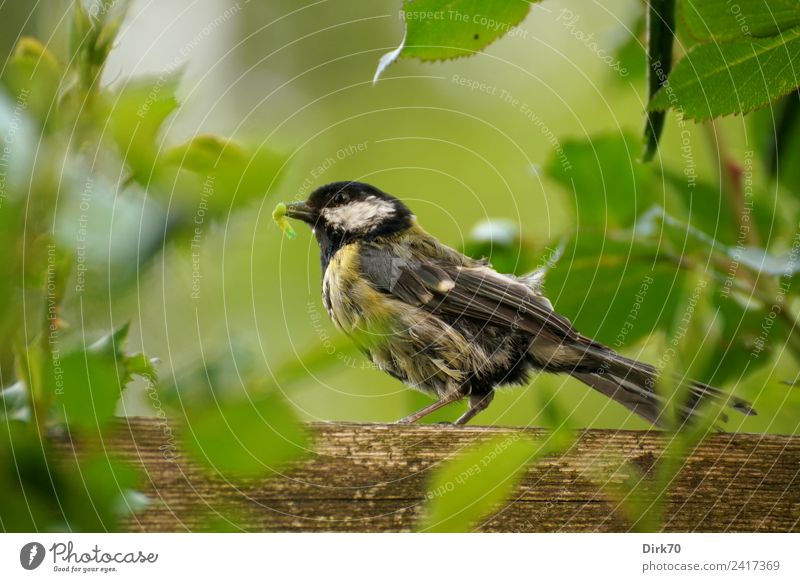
660	37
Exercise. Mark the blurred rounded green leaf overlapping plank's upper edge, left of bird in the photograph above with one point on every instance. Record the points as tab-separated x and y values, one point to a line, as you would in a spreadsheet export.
246	438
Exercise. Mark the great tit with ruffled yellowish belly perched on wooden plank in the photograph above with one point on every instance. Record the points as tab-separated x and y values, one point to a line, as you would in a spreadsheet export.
450	325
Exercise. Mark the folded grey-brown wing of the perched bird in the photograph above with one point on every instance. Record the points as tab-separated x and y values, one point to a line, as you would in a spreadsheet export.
456	290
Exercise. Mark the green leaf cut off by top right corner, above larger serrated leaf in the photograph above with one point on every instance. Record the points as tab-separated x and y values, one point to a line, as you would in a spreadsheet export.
725	20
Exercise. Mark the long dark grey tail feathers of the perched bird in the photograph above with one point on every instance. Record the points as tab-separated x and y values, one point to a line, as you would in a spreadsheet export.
633	384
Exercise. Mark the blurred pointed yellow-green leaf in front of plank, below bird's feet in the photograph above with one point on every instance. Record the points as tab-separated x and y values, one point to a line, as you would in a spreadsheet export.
469	487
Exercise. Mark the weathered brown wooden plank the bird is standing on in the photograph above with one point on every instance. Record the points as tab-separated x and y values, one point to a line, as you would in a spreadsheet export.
374	477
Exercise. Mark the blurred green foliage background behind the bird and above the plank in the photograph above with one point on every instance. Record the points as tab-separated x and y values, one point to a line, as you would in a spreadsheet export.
180	125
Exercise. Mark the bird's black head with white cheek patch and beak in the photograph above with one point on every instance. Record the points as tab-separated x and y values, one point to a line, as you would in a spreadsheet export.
350	211
